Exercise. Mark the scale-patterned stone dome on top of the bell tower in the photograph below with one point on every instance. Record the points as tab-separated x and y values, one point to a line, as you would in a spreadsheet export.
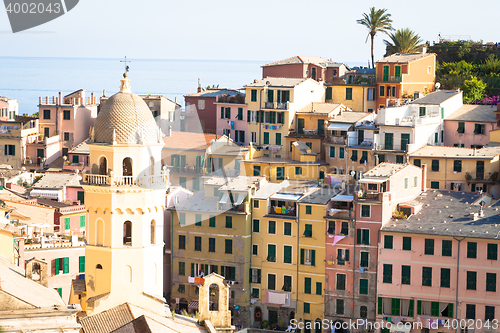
125	118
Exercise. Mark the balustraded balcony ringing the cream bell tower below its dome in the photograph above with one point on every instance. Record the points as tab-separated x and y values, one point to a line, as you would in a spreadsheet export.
144	181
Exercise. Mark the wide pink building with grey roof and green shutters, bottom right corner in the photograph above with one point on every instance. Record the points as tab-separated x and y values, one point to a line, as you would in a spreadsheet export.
441	264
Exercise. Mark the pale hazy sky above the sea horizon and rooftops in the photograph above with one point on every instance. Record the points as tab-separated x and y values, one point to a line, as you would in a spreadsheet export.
240	30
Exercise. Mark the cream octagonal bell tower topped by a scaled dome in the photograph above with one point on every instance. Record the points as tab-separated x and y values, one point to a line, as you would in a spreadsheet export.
125	197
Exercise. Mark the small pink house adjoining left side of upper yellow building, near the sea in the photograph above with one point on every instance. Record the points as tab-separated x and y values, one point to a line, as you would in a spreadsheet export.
232	121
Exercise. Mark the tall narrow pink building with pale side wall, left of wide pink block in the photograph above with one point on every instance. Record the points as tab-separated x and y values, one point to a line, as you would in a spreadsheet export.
351	271
